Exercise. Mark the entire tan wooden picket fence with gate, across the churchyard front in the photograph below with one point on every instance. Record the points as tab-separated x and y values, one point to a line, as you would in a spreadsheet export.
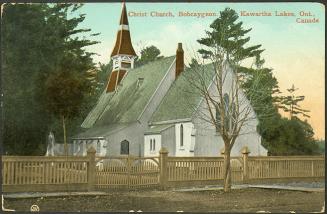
31	173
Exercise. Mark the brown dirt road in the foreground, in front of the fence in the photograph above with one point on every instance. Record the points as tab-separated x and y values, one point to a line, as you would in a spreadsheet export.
243	200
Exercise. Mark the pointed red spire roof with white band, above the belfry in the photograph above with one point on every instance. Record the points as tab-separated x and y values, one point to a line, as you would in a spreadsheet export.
123	43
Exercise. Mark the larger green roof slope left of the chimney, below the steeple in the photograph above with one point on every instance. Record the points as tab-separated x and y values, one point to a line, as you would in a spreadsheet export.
127	104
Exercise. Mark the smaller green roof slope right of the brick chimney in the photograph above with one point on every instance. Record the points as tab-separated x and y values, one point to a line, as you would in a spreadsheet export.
183	97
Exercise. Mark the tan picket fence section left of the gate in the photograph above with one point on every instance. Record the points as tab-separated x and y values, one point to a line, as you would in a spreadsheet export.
38	173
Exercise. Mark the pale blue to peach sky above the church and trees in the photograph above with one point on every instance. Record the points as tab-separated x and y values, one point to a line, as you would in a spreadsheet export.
295	51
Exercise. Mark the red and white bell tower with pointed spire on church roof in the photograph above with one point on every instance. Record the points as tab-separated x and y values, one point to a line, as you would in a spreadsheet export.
123	54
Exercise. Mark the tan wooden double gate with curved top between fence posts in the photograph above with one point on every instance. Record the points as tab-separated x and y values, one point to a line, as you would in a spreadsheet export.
126	172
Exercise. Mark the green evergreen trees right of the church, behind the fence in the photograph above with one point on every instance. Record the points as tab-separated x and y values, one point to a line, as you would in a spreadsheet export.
280	136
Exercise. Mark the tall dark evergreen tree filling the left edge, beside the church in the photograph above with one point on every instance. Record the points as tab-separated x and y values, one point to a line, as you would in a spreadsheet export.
36	39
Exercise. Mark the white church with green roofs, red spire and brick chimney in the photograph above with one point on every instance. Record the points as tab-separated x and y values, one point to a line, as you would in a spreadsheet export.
145	108
